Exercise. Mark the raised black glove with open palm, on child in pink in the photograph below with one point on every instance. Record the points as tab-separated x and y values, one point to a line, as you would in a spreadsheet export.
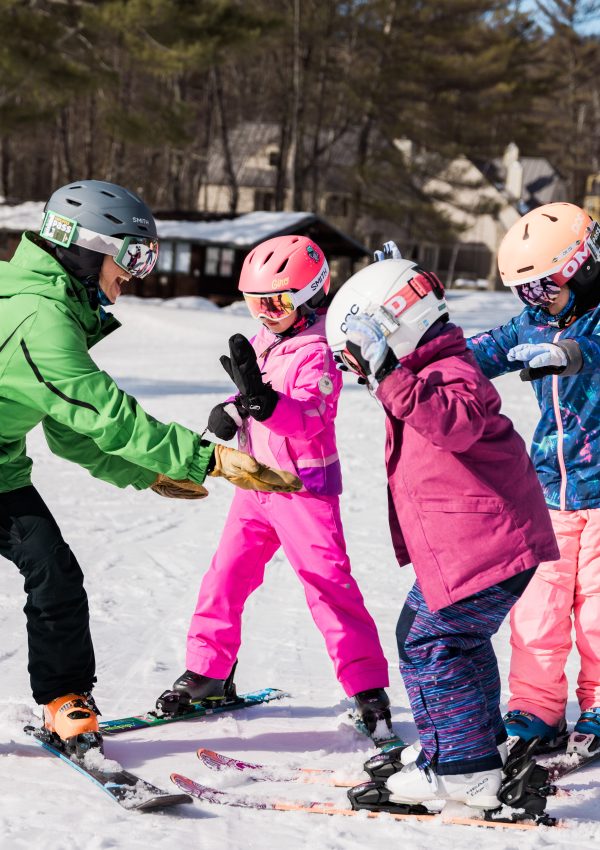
258	398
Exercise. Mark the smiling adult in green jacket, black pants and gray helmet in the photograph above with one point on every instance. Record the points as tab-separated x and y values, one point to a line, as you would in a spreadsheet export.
95	237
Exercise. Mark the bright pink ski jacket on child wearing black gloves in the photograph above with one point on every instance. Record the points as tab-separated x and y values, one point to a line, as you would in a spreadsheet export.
300	434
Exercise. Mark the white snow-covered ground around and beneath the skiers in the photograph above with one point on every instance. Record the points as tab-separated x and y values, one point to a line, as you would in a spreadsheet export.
143	557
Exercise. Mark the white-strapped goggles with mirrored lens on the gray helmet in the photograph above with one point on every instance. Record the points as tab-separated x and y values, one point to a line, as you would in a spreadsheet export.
136	255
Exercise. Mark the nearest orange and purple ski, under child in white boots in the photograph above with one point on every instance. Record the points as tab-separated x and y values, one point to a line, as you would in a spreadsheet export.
218	797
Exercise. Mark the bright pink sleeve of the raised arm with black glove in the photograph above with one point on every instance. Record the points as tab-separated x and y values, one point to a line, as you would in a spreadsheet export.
311	403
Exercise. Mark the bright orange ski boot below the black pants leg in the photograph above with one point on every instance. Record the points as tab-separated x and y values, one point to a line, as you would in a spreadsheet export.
72	720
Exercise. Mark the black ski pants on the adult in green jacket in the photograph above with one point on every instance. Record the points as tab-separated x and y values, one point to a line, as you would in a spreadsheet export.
61	655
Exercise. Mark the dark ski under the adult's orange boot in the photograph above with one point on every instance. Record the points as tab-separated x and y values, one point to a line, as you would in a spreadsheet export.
126	789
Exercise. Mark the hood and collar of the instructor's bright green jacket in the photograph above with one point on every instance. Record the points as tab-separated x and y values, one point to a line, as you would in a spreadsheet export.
34	271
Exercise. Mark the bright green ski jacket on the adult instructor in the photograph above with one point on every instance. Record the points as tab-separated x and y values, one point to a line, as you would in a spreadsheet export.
47	327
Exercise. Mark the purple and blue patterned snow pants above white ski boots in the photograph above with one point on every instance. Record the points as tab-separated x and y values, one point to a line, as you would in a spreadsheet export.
451	675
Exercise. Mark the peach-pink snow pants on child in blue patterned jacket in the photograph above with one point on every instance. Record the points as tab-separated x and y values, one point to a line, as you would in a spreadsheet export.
559	593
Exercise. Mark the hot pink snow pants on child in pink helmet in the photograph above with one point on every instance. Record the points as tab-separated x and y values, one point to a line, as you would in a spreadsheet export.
310	531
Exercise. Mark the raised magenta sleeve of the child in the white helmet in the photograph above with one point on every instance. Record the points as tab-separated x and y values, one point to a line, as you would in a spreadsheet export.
445	403
